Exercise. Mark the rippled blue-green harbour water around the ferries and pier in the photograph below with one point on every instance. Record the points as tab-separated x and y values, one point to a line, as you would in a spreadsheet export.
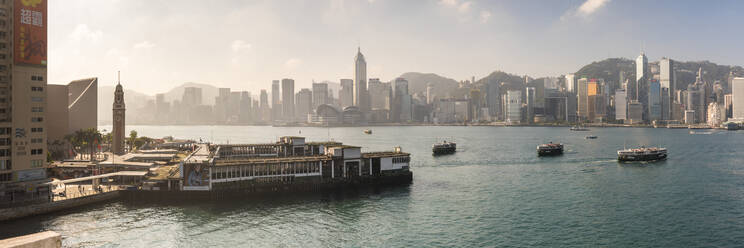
494	191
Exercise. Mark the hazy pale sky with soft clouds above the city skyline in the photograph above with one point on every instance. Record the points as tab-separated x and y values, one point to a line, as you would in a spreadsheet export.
158	45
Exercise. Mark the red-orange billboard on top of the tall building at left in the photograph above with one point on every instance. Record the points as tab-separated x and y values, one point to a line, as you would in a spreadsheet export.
29	32
